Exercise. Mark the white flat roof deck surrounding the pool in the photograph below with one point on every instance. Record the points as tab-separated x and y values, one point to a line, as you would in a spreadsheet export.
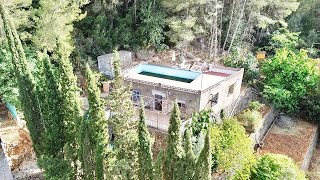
201	82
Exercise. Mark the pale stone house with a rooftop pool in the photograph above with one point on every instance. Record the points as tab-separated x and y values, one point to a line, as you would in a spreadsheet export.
217	88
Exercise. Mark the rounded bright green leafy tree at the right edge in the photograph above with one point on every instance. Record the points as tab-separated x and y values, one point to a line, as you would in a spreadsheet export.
295	75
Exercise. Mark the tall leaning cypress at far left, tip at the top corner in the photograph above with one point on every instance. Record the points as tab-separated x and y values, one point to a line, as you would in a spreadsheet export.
27	88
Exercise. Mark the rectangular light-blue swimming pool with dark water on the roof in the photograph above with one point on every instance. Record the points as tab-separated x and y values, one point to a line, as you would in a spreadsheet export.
166	73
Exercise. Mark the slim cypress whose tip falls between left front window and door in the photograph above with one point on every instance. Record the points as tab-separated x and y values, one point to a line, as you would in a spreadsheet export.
145	154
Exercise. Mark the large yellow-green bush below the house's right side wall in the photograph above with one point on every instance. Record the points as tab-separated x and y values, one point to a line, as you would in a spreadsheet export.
232	151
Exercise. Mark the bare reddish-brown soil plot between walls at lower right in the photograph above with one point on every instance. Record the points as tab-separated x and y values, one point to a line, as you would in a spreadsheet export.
293	142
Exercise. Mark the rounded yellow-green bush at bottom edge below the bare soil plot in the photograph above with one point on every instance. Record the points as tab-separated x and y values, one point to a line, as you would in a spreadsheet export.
277	166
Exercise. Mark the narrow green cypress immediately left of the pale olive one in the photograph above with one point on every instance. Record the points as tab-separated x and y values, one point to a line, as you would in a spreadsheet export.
97	126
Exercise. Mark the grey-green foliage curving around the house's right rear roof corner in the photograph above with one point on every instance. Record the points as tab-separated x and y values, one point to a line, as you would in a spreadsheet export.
242	58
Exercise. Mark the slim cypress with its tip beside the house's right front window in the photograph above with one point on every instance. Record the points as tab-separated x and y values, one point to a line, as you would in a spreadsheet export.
174	148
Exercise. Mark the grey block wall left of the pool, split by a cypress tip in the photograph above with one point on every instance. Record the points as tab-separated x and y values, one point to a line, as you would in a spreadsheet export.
105	62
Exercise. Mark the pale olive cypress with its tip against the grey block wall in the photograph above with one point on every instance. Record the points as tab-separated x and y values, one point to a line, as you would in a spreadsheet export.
125	145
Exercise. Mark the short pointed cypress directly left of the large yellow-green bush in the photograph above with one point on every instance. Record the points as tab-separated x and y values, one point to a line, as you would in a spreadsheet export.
203	171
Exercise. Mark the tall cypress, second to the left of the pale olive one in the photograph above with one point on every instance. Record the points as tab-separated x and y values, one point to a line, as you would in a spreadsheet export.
71	111
